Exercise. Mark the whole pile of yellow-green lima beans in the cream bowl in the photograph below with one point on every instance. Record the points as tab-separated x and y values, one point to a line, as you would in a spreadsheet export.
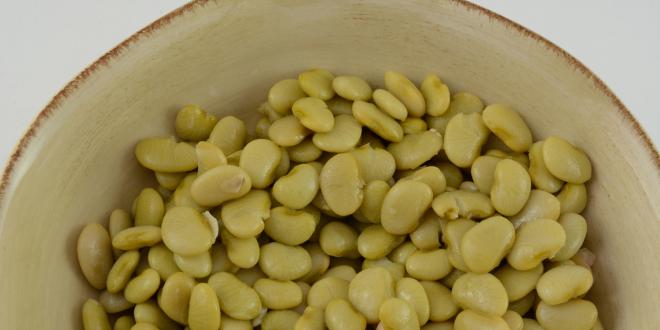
346	208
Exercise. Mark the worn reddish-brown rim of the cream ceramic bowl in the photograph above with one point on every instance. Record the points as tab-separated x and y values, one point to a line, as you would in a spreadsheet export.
144	33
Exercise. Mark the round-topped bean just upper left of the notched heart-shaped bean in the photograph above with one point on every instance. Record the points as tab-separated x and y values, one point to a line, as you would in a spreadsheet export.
259	159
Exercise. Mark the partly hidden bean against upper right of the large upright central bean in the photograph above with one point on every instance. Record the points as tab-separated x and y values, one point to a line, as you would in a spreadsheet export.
374	163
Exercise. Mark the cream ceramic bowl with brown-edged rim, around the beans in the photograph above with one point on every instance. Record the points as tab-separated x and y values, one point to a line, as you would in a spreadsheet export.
75	163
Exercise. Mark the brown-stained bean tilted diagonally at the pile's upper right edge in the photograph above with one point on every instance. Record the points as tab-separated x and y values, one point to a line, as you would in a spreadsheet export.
507	125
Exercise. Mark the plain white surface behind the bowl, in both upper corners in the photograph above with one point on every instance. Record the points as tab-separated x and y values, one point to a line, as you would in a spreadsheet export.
46	45
